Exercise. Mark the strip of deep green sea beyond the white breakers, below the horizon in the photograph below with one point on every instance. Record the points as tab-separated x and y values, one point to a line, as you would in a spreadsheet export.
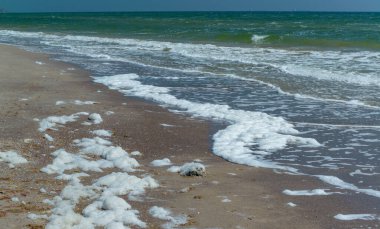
275	29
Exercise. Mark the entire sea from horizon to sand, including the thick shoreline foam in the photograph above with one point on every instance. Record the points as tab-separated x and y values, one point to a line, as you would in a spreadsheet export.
297	92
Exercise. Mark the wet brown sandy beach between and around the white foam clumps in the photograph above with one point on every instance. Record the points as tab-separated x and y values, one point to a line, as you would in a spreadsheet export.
227	196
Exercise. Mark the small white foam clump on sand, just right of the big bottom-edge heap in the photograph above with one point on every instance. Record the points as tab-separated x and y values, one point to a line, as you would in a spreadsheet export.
165	214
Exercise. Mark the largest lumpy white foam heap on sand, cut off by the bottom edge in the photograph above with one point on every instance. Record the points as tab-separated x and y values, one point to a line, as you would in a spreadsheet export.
106	210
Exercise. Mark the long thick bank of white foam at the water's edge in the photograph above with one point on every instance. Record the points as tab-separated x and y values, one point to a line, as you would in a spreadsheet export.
248	129
